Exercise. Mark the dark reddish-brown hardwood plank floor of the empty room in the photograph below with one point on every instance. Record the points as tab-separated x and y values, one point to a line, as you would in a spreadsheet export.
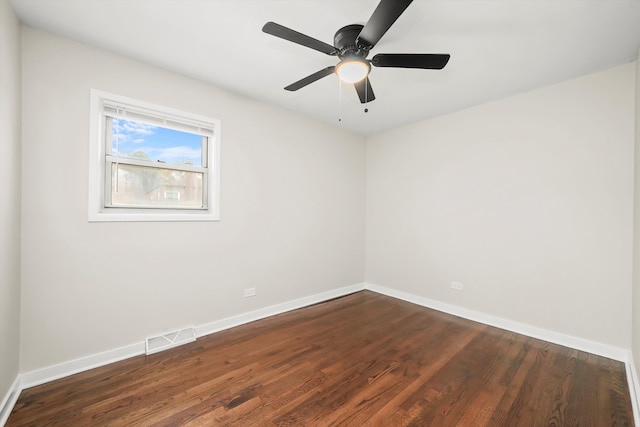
361	360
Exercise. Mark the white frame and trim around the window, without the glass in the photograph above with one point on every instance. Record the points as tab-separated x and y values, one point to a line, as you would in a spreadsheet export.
99	209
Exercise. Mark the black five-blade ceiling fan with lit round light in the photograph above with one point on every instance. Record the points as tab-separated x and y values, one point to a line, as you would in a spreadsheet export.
352	44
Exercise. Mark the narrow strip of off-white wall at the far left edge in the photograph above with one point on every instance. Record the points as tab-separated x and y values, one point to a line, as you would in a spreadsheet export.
9	197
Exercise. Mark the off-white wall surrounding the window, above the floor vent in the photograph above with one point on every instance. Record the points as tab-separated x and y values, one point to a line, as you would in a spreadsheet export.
292	212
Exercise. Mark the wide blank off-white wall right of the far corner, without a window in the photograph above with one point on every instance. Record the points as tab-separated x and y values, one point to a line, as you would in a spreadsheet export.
527	201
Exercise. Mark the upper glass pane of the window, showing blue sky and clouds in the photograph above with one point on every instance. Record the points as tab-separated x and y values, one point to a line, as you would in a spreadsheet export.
137	140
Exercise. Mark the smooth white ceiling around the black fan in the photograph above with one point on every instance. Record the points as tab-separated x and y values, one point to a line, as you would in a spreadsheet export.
498	48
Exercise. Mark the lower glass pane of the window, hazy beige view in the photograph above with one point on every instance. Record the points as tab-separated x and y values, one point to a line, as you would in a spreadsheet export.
145	187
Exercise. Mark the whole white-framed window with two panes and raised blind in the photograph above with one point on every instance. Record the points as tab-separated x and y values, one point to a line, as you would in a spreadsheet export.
151	163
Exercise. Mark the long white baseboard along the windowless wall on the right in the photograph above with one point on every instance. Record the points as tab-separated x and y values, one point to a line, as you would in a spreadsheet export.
577	343
